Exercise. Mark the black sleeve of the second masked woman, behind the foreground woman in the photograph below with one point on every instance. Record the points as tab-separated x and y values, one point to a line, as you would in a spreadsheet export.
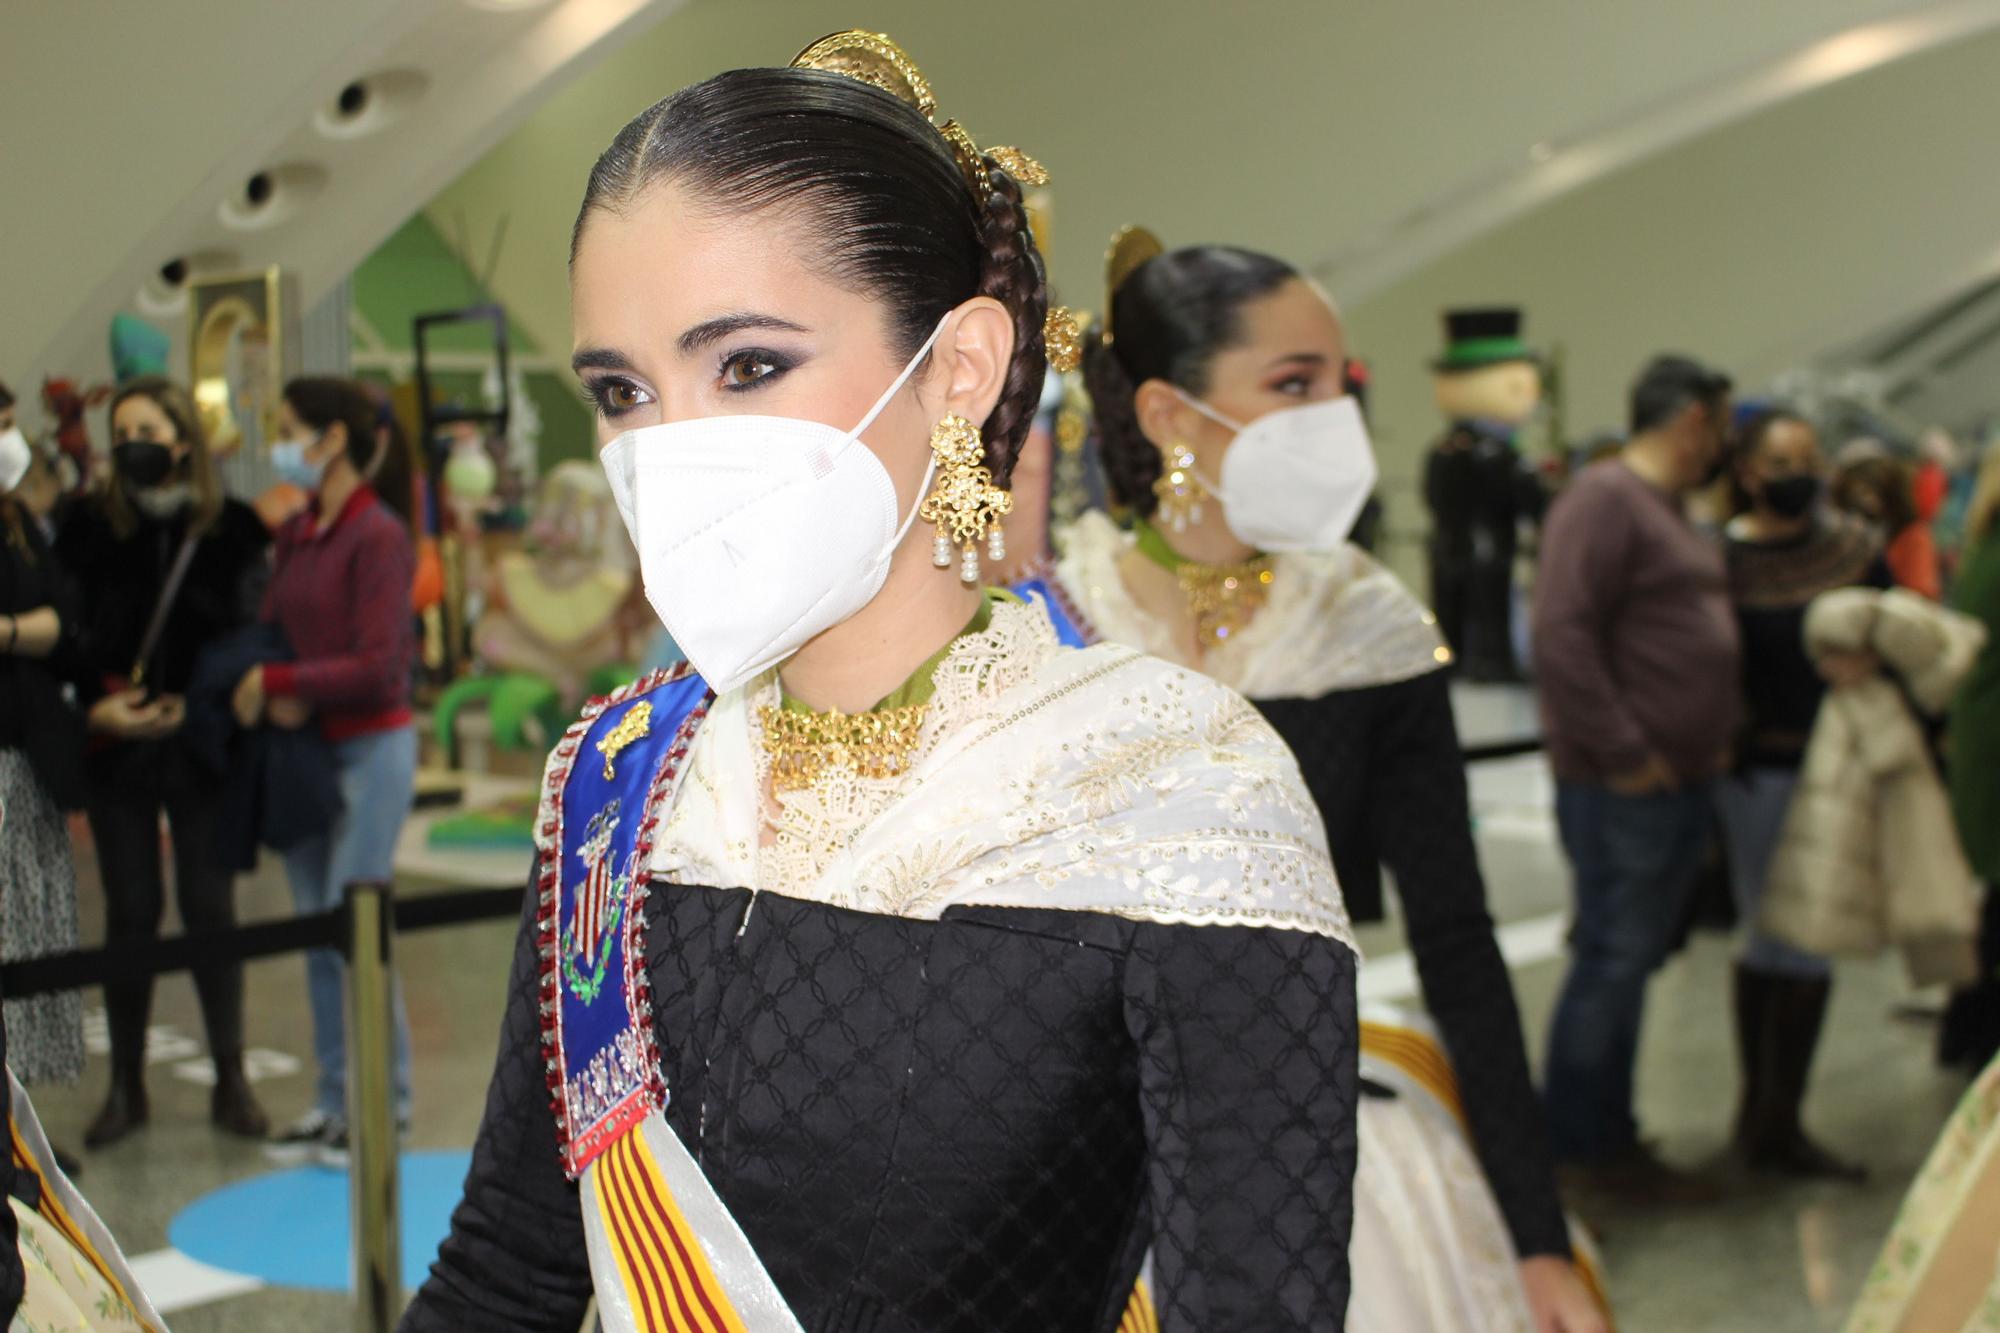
1423	822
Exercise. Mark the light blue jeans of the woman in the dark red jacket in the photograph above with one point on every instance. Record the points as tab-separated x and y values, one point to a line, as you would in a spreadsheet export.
377	778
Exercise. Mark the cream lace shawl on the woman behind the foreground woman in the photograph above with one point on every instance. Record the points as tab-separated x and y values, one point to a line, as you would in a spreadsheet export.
1335	621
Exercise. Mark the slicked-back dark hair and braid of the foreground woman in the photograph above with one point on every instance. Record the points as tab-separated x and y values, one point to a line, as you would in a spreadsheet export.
887	201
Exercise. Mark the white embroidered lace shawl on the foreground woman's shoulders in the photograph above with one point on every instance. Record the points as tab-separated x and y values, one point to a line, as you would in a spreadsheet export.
1065	780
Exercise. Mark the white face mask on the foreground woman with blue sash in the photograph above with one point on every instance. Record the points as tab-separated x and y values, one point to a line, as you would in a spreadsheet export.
757	533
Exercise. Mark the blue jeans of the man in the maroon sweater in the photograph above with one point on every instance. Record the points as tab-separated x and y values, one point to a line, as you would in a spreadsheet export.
1635	862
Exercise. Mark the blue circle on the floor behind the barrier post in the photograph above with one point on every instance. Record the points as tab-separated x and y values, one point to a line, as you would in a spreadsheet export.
291	1228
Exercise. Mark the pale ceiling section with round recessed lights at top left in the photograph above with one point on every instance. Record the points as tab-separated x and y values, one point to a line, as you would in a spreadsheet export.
129	131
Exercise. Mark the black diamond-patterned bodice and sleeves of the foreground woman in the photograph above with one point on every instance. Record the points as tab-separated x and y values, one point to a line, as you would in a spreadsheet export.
909	1118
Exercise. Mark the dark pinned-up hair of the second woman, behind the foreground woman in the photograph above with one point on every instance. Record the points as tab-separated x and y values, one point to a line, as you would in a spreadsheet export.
1169	321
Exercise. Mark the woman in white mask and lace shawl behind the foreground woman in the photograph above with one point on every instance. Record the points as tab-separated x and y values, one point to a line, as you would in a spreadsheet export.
1229	435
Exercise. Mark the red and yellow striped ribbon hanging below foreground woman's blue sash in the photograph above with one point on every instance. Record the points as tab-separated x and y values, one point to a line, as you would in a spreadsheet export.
661	1260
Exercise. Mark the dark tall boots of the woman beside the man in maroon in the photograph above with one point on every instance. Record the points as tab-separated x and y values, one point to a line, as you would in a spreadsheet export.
1779	1030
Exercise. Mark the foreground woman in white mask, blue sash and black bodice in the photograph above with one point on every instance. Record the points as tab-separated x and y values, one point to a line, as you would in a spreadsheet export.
893	968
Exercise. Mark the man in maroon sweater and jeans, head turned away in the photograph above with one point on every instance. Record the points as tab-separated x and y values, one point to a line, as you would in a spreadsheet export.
1637	665
